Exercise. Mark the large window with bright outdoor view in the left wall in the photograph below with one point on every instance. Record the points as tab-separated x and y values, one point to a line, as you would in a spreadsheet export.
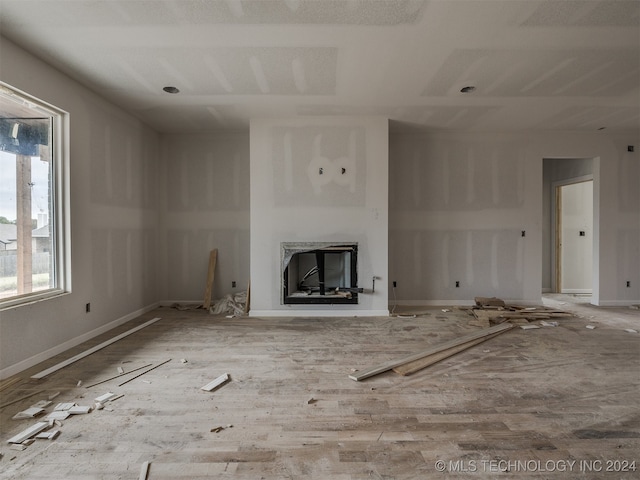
33	260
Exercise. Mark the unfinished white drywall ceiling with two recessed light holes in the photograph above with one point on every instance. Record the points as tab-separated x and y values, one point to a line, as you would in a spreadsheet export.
536	64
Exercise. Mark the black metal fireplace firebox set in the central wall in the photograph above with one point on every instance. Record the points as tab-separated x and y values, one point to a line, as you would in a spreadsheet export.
320	274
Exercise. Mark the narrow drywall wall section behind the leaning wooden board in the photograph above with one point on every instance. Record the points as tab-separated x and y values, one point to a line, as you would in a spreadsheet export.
205	205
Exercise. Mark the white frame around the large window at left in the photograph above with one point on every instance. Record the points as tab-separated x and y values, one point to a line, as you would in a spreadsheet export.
60	228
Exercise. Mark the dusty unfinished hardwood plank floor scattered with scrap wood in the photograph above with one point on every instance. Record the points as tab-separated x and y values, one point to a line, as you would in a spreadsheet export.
528	401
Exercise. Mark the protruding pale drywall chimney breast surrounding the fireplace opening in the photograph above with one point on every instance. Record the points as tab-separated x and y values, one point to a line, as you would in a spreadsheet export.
319	179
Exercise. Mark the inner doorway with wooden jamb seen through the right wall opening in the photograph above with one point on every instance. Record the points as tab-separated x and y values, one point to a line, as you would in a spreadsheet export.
574	237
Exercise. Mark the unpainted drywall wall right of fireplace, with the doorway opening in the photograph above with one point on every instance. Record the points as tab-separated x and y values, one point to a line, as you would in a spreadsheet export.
459	202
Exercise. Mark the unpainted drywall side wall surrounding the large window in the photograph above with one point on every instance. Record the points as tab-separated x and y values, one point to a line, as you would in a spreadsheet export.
113	219
